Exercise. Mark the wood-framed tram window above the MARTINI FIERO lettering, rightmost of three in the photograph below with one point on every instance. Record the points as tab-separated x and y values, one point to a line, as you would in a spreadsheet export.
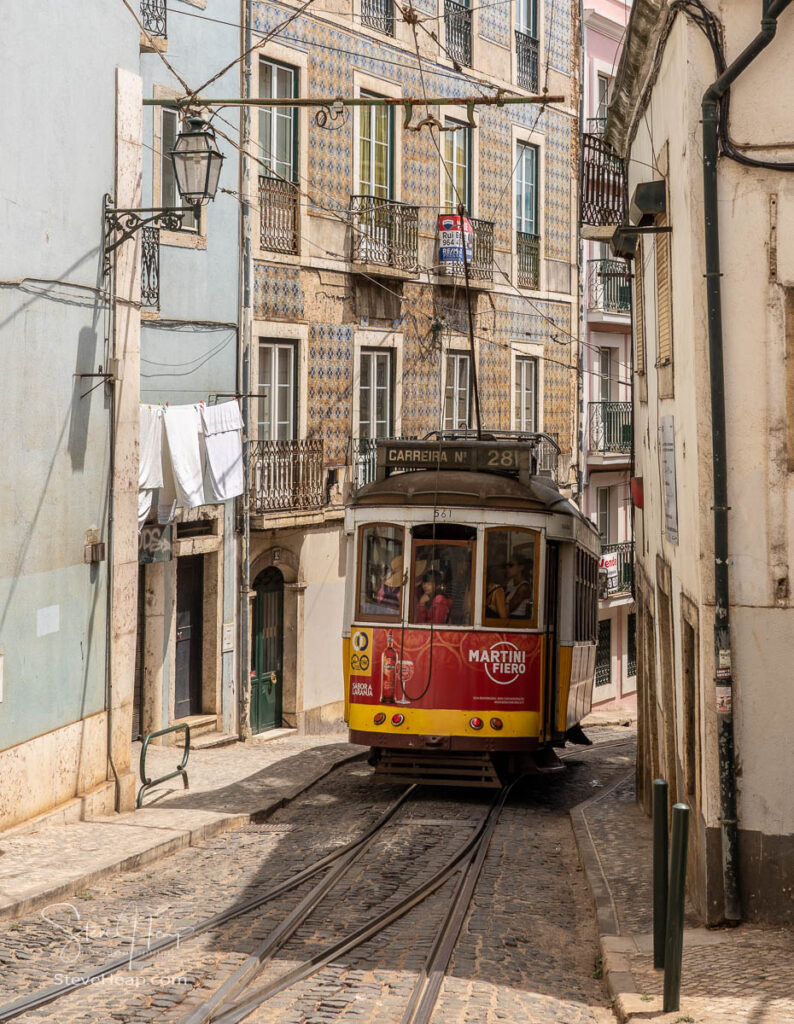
510	598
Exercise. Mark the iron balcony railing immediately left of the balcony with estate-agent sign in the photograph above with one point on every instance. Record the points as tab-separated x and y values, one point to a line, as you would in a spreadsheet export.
385	233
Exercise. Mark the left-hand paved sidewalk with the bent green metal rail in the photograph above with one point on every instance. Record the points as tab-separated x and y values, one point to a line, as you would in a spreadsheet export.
229	788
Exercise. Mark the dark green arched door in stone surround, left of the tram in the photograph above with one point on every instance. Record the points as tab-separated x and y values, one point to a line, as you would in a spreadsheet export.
268	652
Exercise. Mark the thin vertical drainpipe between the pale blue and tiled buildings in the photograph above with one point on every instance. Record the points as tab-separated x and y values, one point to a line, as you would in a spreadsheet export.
245	381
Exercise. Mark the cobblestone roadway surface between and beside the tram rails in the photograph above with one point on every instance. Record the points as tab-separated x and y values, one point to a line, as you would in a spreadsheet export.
527	953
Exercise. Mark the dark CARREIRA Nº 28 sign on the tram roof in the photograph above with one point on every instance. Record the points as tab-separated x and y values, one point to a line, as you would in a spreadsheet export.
450	455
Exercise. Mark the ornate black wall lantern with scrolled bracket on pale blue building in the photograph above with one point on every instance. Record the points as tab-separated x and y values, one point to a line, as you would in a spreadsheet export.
197	163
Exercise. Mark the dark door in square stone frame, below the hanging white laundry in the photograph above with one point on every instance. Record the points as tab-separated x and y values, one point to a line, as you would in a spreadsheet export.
190	603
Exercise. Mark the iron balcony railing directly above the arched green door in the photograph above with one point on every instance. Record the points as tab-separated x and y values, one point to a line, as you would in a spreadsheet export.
286	477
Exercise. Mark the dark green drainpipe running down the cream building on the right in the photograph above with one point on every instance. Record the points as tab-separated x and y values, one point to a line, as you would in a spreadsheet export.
723	672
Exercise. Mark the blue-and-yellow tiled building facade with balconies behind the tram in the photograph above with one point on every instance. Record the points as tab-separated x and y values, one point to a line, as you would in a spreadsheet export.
340	294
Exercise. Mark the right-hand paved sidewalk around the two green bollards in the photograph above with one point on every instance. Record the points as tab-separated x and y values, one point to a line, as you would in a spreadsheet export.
741	975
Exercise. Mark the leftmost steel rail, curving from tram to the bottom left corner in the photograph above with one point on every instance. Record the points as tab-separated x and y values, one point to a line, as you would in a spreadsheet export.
26	1004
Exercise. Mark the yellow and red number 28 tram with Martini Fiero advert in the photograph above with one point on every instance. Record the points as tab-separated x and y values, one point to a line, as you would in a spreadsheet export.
471	611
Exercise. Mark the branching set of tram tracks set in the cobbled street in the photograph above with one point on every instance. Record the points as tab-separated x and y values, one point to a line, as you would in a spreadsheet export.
221	1008
